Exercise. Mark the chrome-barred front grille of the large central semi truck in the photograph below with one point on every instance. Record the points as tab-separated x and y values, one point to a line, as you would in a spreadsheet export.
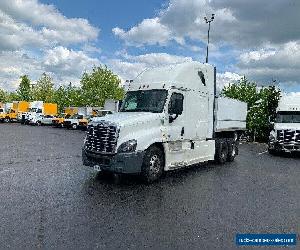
102	138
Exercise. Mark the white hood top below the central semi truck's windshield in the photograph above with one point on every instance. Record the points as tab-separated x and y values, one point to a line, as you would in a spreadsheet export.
125	119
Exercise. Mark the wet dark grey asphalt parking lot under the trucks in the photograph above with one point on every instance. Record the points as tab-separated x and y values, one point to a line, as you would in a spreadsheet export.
49	200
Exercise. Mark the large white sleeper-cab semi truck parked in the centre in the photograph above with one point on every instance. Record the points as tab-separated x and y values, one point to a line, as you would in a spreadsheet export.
170	118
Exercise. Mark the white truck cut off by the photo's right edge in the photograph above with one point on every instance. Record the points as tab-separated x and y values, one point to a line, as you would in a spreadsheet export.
285	137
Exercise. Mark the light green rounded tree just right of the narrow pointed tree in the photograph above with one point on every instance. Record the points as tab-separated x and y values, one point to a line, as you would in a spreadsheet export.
43	90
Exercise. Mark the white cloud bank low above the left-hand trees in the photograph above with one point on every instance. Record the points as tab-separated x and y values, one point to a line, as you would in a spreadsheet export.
64	66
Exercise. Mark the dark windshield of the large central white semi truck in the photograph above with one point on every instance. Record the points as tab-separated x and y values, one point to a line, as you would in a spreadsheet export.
145	101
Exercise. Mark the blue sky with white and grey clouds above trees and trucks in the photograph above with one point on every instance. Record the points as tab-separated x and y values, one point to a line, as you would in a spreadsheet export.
259	39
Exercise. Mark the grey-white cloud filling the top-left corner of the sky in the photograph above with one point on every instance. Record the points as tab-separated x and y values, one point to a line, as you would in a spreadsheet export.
46	23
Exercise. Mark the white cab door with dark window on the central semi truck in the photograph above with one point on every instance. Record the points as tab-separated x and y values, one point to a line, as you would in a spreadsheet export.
175	130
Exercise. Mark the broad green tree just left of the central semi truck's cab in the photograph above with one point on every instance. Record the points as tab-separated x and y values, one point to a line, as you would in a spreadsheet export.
99	85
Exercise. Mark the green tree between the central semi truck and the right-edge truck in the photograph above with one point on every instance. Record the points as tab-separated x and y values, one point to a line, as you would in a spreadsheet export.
262	103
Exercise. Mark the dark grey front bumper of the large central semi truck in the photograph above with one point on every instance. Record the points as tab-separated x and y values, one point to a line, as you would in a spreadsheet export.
126	163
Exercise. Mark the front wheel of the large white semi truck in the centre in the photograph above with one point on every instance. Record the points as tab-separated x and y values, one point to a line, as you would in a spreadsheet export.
153	164
